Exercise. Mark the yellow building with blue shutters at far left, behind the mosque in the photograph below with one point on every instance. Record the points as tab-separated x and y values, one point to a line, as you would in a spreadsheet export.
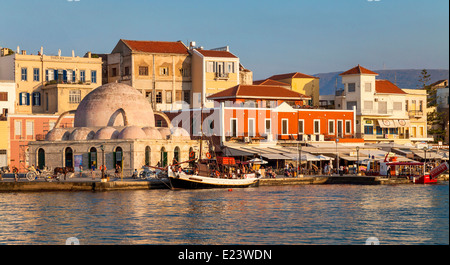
50	83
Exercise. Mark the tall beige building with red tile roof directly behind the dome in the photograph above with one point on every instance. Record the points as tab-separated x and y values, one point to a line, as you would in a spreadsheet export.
160	70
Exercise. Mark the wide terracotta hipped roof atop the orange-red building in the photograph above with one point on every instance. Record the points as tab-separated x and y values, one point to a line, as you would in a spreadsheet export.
258	92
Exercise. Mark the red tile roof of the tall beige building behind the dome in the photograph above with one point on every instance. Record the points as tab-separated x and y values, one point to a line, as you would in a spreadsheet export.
157	46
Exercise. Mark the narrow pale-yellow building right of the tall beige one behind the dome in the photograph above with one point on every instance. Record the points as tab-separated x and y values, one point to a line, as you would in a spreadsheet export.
212	71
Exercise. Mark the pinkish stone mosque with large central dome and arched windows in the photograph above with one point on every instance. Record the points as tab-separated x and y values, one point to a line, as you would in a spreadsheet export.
114	124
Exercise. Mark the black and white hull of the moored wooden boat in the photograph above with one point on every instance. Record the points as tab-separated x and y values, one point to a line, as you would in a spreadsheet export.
198	182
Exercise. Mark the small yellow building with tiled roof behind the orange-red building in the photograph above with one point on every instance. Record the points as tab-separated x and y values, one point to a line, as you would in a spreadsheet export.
302	83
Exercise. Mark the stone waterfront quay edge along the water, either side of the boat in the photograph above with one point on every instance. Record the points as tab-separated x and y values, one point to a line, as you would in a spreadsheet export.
88	184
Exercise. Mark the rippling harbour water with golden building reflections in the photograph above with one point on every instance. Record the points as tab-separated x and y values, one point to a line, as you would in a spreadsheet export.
311	214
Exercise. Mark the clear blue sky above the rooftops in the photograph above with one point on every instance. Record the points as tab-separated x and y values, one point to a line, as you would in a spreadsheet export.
269	36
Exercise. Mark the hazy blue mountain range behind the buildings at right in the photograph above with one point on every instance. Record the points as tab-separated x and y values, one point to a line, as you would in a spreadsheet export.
403	78
